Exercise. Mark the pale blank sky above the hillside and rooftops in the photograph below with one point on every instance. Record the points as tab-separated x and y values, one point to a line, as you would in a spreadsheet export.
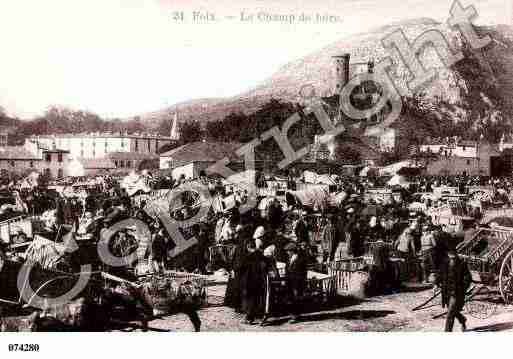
120	58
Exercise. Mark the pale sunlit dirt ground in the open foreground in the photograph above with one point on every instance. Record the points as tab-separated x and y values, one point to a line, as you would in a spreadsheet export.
378	314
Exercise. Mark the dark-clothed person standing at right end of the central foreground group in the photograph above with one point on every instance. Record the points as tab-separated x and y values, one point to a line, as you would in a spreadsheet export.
297	274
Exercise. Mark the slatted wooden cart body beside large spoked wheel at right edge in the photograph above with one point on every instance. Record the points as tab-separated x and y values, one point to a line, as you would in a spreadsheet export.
489	255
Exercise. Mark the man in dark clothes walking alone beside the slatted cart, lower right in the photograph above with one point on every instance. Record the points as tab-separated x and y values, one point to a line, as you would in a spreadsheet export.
455	279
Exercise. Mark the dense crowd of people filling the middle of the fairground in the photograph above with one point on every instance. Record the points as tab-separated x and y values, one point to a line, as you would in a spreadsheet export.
279	240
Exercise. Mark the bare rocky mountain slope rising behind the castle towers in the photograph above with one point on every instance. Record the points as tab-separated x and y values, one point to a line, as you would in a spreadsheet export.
466	92
